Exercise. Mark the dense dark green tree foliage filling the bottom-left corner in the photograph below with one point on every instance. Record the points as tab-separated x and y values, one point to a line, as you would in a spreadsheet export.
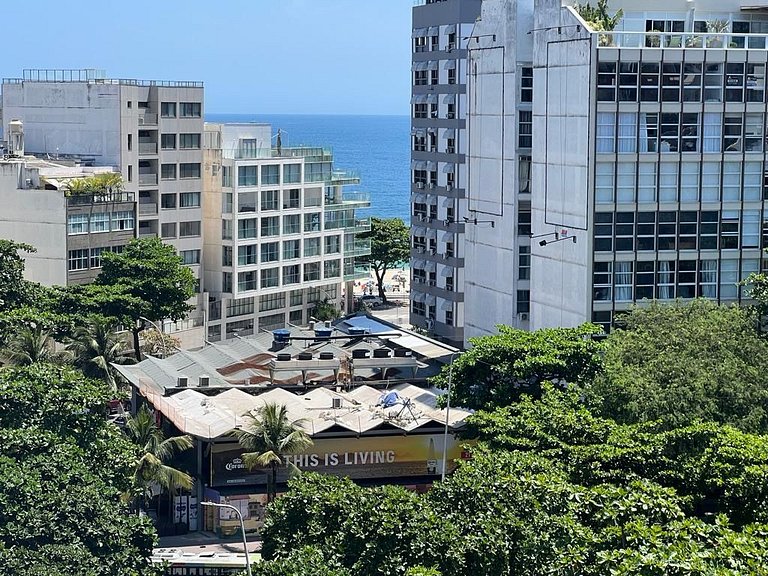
63	469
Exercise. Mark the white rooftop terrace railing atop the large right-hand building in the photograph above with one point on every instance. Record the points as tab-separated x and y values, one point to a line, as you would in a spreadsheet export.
653	39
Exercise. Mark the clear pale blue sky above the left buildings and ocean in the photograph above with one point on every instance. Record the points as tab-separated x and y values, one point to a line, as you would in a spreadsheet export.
255	56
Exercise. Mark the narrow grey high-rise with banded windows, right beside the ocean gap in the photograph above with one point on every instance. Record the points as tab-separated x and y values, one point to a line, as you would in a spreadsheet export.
438	152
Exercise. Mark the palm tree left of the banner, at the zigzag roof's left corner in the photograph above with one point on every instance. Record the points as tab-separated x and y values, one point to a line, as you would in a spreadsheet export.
156	451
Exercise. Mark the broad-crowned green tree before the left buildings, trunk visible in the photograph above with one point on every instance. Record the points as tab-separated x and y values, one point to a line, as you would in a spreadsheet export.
153	277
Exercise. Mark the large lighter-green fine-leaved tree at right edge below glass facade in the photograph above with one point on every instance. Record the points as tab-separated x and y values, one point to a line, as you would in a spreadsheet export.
684	362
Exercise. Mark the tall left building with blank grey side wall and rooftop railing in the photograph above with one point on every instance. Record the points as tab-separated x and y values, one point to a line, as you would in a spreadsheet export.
151	131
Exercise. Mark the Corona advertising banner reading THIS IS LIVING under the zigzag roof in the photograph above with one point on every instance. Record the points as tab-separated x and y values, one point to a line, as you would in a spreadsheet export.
356	458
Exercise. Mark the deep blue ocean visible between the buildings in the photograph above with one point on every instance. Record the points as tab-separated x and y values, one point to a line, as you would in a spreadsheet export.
376	147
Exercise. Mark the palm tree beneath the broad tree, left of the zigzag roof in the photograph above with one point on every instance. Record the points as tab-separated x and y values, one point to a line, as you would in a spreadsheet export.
96	347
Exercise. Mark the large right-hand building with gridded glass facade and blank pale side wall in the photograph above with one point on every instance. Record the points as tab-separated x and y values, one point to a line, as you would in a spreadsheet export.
647	161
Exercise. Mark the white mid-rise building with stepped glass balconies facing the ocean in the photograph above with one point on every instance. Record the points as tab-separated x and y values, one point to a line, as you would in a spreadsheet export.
279	231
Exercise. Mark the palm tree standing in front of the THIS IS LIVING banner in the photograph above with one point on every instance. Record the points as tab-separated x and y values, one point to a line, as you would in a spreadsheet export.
268	437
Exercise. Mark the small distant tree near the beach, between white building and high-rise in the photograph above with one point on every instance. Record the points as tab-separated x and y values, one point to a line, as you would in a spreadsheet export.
390	245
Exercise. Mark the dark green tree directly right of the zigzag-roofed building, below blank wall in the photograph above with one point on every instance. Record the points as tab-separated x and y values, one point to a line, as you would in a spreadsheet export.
498	369
